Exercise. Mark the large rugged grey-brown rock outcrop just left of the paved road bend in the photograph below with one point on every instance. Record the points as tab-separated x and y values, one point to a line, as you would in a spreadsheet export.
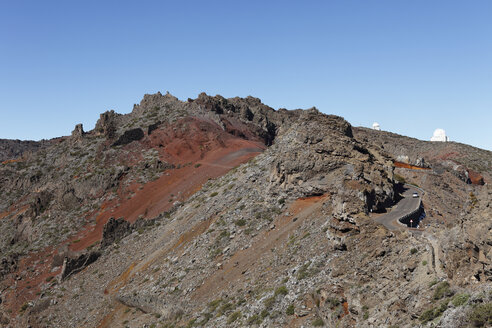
323	157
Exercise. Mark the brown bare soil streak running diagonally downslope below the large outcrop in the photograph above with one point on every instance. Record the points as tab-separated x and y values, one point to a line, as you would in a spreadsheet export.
238	265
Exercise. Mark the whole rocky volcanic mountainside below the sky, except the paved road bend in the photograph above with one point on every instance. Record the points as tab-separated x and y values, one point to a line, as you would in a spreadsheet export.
219	212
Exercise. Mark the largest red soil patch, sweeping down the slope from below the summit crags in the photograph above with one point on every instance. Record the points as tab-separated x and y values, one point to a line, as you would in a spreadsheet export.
203	151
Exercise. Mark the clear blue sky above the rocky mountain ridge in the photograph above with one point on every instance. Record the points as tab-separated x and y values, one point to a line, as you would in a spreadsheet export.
412	66
